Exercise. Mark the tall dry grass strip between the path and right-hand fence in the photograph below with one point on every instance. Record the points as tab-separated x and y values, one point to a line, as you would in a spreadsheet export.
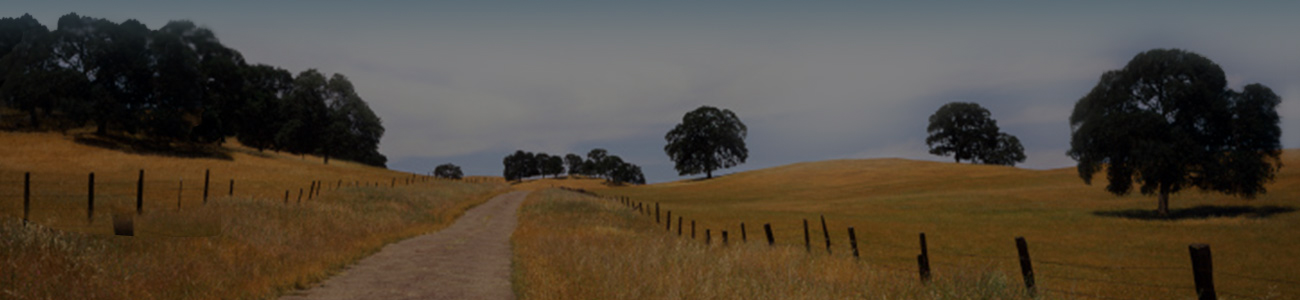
578	247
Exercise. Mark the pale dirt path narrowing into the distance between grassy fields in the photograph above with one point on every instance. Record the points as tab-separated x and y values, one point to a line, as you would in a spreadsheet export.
467	260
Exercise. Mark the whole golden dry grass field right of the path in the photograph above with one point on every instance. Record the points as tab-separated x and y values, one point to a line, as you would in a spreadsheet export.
1085	244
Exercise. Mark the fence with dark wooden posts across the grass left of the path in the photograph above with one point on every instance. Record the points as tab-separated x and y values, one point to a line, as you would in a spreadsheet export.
59	193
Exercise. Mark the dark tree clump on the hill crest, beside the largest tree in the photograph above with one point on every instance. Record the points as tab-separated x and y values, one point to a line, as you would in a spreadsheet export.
967	132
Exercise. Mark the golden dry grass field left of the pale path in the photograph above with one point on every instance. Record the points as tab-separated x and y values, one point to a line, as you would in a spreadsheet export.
246	246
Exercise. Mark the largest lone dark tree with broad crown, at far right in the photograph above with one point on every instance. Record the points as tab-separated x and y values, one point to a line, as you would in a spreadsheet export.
1168	121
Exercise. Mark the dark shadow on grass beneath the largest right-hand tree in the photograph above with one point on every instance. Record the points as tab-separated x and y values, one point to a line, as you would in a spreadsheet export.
1201	212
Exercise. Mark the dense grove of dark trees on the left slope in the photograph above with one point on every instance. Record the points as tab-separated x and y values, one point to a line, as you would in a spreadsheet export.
176	84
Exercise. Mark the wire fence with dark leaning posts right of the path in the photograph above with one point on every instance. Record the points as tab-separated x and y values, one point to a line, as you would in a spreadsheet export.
1203	273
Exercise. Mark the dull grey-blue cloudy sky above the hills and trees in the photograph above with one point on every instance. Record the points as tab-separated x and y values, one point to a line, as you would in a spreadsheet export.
471	82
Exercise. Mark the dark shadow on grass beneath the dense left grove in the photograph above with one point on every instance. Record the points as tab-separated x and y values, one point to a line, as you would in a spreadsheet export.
153	147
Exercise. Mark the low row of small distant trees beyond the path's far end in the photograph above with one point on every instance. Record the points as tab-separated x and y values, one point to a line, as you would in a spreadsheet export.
599	163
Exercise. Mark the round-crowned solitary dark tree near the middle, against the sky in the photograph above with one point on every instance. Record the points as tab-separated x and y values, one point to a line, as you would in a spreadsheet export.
707	140
